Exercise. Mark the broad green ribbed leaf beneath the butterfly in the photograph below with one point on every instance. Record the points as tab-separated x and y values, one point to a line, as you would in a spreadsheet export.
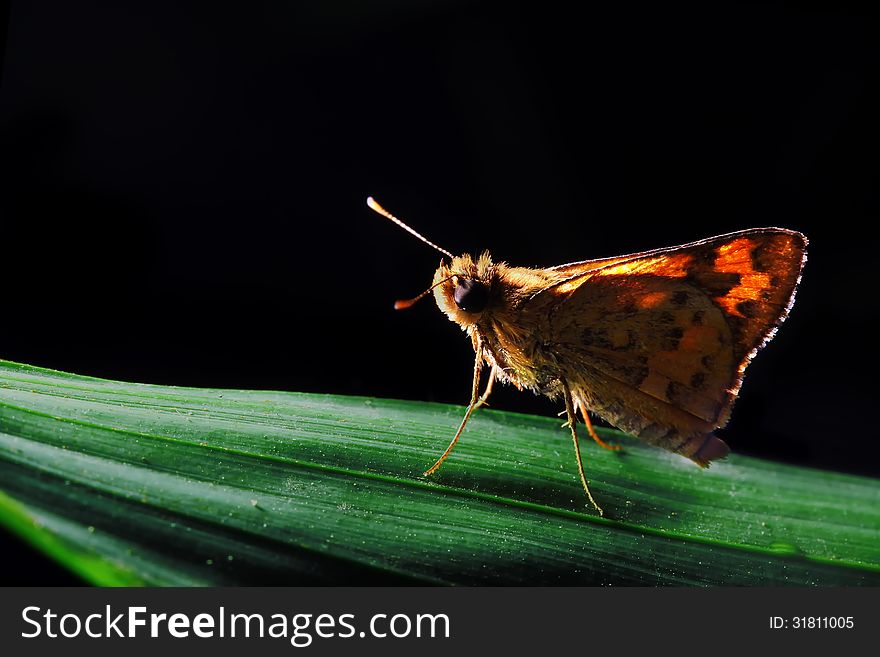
139	484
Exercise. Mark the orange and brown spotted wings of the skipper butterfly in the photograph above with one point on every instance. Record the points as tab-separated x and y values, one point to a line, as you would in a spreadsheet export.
660	340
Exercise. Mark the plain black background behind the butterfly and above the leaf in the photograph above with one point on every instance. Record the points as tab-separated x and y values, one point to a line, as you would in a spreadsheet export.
183	185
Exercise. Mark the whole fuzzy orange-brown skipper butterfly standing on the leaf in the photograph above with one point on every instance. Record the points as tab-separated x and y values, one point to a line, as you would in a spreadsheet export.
655	343
